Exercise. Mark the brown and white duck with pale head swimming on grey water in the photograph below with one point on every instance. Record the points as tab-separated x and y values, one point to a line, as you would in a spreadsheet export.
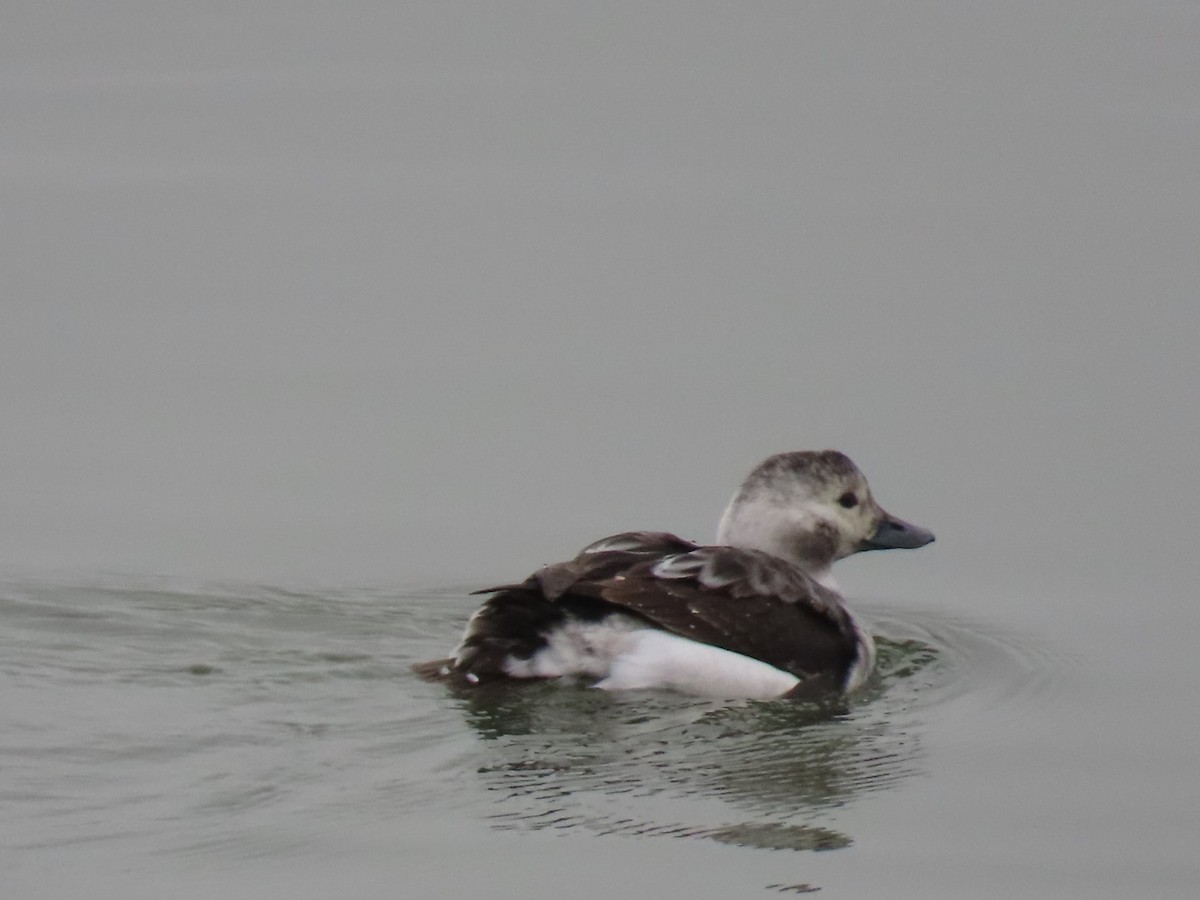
758	615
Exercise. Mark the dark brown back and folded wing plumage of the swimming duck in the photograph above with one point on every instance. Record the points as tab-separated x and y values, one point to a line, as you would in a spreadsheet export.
740	601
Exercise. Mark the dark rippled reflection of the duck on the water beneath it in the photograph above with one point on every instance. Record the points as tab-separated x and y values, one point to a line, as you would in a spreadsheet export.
573	759
